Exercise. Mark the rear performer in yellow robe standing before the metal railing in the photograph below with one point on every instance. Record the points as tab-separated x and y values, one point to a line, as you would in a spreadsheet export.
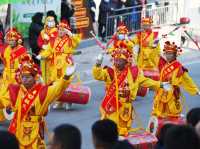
149	48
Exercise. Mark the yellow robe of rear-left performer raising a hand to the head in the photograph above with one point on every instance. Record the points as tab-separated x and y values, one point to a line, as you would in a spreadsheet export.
58	59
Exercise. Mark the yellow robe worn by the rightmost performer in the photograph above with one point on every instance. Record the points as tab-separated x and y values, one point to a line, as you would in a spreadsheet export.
168	103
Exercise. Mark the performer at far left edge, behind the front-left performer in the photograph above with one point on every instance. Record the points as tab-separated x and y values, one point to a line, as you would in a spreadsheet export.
12	54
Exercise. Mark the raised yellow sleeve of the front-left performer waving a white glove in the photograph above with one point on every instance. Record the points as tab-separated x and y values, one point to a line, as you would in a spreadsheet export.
55	91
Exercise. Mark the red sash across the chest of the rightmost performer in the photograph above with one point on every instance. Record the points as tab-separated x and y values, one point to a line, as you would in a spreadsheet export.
166	71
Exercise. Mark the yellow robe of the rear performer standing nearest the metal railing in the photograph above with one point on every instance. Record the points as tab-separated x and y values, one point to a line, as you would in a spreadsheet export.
148	56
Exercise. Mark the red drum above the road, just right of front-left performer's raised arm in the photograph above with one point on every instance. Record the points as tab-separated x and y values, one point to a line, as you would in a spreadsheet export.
78	94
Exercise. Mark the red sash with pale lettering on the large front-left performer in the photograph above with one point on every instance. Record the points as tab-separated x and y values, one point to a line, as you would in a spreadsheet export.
25	106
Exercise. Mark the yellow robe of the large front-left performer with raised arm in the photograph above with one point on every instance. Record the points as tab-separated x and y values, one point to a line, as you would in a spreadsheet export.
29	127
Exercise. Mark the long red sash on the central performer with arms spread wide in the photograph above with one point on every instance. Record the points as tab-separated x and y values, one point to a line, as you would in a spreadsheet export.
109	102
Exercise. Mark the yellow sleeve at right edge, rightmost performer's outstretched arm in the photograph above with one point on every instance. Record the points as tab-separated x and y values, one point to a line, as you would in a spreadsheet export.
188	84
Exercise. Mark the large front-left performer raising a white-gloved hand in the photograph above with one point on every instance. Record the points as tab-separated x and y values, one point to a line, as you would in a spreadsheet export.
30	100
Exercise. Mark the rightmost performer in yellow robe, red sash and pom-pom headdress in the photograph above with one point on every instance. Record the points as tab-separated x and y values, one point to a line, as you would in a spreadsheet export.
168	103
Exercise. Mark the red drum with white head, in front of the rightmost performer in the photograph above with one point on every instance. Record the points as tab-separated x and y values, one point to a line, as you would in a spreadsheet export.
155	123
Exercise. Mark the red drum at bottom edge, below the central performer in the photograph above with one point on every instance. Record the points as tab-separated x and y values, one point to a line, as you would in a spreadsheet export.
143	140
